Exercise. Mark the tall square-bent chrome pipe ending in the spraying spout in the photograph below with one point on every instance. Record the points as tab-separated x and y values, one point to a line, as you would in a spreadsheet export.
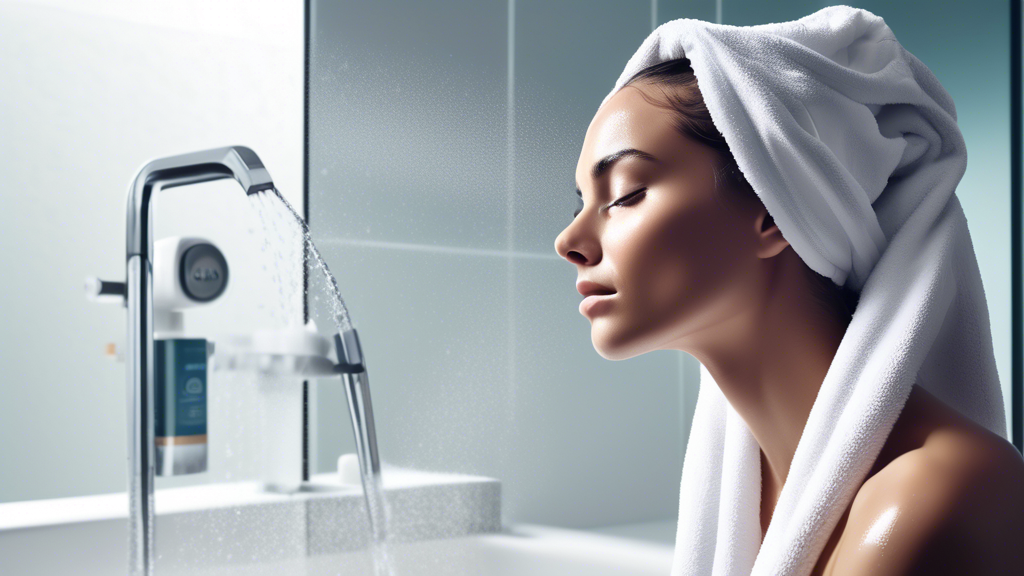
233	162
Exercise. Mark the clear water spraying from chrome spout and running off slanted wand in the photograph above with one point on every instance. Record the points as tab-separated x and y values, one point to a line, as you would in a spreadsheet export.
372	485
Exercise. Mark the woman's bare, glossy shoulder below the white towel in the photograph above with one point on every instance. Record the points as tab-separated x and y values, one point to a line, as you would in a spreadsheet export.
955	506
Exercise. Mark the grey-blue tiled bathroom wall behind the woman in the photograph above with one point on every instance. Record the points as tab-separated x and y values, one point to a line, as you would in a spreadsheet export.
444	143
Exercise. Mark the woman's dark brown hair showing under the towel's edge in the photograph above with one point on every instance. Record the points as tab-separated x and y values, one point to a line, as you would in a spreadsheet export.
694	121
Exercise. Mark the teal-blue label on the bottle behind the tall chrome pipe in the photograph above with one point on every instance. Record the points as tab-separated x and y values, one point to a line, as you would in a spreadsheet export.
180	388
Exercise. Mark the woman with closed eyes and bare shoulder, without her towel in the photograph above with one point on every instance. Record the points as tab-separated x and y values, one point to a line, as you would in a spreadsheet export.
674	251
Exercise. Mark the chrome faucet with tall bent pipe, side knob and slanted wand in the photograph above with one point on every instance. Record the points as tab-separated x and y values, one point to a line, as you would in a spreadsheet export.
242	164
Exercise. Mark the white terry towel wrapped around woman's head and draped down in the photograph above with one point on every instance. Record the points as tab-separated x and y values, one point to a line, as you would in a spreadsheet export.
852	146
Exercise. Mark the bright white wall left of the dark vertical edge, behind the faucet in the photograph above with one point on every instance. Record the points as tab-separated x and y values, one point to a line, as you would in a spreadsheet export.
93	90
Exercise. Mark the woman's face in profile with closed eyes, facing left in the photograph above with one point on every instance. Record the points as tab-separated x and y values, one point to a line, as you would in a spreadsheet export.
679	257
